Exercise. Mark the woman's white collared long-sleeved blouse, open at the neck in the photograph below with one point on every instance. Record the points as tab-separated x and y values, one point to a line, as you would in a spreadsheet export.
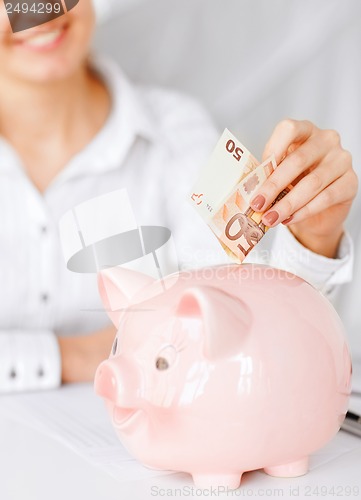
153	144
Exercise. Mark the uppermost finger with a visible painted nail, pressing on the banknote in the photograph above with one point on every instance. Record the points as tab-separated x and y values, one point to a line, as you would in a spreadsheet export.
304	157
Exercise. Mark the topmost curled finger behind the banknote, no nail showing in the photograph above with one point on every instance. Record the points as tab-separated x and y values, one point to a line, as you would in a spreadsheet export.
286	133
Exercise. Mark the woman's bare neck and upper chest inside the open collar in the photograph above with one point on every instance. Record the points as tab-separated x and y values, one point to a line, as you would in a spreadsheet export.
47	124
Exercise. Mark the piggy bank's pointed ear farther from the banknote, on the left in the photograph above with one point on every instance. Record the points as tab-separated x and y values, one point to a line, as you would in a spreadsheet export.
117	286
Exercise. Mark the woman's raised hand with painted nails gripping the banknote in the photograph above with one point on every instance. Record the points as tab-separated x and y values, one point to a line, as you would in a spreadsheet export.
324	181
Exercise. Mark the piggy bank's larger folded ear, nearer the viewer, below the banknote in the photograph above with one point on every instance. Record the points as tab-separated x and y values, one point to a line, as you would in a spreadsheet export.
226	319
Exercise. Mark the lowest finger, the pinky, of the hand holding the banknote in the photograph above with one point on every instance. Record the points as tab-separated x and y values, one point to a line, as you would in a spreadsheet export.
343	190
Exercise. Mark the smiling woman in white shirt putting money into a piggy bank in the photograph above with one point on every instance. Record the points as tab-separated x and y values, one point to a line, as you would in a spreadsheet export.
72	128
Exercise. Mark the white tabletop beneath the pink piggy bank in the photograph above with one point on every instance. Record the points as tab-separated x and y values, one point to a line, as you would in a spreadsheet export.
36	466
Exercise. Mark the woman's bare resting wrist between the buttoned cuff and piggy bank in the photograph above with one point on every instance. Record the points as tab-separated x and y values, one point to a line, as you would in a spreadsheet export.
81	355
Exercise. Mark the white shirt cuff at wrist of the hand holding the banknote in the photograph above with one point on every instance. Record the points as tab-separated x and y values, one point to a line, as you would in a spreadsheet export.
321	272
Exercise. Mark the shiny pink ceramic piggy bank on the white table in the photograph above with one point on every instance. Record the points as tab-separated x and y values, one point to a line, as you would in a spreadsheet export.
230	369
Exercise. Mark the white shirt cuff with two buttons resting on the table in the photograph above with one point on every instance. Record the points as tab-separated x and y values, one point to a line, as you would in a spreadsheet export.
29	361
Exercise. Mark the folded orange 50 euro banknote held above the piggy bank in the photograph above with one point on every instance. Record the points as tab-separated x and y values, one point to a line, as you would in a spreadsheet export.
223	192
